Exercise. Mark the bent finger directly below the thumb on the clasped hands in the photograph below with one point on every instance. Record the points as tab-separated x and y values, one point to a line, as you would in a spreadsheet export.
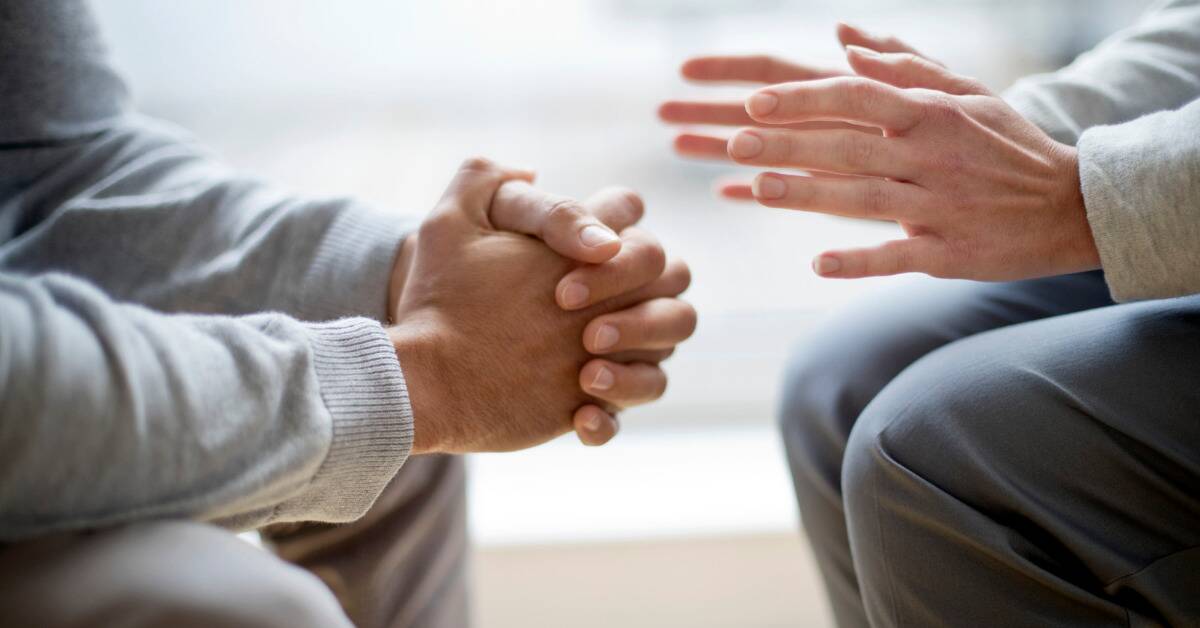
639	264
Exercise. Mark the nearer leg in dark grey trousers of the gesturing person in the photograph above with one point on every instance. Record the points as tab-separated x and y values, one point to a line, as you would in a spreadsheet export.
1054	463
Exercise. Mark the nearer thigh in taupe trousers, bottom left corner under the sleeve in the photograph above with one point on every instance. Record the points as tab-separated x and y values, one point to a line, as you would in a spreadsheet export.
176	573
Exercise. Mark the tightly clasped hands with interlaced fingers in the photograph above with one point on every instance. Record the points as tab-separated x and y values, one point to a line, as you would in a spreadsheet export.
482	306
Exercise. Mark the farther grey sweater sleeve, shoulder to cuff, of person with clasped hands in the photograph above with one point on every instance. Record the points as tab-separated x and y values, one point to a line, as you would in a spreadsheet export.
92	189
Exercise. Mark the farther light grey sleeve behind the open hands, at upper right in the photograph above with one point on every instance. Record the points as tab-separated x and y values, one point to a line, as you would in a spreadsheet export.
1153	67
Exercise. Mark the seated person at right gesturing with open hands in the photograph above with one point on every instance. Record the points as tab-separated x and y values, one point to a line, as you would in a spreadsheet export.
1017	453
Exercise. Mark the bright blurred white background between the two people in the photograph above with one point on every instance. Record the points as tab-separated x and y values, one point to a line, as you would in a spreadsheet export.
687	519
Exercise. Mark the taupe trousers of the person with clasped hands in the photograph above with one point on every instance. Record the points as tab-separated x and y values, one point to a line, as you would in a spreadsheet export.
403	566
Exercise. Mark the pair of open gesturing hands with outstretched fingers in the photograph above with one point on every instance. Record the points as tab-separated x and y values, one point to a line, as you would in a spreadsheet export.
980	192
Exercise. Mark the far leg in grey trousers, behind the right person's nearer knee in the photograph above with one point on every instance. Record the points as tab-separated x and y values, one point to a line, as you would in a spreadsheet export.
841	368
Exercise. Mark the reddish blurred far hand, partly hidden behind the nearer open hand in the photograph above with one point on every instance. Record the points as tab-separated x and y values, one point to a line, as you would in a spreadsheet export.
755	70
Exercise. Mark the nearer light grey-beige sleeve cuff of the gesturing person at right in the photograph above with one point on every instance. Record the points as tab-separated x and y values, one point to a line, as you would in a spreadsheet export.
1142	187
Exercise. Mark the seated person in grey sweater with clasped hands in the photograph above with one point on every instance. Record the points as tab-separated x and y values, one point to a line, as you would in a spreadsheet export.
187	352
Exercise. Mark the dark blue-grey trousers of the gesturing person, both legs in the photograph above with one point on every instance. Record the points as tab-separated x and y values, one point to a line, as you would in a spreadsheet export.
1013	454
